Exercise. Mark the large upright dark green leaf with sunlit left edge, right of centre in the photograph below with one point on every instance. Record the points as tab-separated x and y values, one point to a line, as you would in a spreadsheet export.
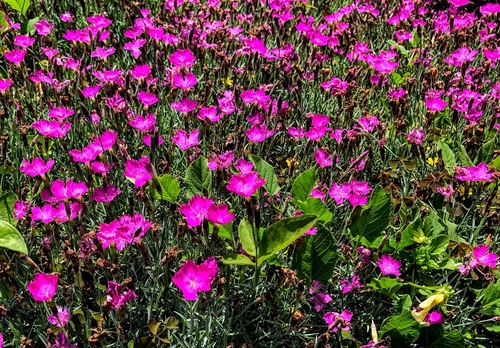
370	221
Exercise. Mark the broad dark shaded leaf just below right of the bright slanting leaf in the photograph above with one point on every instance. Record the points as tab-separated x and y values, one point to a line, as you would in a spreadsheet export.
314	258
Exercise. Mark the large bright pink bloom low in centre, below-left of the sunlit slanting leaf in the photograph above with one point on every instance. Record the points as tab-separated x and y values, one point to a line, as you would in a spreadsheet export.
192	278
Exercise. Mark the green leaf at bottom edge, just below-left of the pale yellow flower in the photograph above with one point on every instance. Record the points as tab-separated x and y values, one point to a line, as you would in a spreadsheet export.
402	329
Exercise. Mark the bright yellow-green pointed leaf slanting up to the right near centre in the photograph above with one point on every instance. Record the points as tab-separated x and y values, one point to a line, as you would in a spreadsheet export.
283	233
